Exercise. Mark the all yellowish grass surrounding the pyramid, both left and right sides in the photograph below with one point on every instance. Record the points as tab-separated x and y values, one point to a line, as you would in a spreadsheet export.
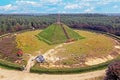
93	45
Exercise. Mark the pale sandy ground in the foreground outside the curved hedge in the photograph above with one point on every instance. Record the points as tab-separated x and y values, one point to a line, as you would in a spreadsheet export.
19	75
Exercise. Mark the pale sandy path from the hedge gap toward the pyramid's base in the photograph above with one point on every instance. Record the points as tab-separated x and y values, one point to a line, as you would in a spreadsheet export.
49	57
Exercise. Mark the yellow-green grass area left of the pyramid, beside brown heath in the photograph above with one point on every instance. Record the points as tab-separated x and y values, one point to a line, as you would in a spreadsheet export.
29	43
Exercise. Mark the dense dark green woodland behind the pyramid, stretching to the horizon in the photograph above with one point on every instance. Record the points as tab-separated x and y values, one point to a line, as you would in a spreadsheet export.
100	22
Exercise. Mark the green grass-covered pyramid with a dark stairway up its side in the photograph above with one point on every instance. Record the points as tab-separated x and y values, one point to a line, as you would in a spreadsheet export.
58	33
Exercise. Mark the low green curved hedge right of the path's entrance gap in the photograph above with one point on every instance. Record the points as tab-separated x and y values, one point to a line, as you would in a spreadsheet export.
72	70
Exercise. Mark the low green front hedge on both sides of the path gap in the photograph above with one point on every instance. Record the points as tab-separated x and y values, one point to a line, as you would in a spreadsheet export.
10	65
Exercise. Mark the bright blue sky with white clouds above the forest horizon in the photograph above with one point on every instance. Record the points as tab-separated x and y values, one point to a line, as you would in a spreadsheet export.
59	6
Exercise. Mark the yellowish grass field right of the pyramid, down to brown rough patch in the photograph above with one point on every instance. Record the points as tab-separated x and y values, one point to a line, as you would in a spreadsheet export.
94	45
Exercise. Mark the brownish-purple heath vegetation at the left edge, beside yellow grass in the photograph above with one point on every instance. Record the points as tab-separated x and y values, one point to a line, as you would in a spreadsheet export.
8	48
